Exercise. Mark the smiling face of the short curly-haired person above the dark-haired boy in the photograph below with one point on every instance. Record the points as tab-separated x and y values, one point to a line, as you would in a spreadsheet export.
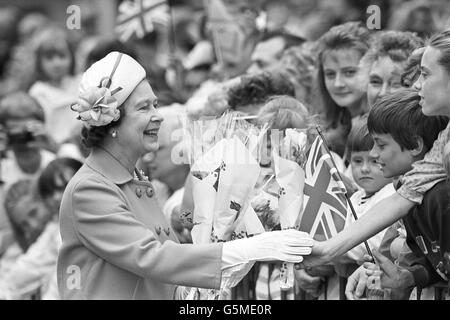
384	77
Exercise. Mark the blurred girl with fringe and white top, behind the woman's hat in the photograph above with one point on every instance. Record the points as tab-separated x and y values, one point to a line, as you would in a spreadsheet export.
56	86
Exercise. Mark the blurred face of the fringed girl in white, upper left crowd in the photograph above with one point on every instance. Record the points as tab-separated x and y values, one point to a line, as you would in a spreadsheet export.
56	64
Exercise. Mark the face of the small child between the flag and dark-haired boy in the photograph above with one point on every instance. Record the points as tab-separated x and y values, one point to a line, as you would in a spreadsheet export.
366	172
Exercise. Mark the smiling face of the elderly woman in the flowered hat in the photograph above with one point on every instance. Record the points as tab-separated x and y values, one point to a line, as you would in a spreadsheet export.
138	130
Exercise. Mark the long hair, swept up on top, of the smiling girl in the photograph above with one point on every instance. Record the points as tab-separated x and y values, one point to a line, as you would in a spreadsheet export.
347	36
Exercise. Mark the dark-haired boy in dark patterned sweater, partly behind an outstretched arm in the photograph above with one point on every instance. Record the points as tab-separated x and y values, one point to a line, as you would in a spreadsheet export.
402	135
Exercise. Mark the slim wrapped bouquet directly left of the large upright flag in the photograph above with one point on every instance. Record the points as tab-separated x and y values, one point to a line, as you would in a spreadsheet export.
289	160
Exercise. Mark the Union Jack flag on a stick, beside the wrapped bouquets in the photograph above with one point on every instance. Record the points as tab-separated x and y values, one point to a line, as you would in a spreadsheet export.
325	204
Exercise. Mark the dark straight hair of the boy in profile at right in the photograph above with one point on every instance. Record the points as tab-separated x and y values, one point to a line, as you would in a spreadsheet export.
400	115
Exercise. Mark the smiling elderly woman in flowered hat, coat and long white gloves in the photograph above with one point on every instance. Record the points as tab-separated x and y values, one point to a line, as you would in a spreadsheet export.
116	242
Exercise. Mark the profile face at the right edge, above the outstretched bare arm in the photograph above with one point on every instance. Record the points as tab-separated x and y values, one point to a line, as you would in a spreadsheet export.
433	85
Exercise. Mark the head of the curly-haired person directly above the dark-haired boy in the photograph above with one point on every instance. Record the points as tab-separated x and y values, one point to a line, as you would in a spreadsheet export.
386	61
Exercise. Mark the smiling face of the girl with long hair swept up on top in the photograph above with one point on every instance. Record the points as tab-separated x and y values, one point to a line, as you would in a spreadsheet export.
345	80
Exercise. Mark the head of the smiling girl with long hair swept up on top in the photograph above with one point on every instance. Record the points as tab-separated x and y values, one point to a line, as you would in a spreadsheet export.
342	82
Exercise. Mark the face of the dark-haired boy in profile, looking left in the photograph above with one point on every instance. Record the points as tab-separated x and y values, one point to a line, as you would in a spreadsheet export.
393	161
